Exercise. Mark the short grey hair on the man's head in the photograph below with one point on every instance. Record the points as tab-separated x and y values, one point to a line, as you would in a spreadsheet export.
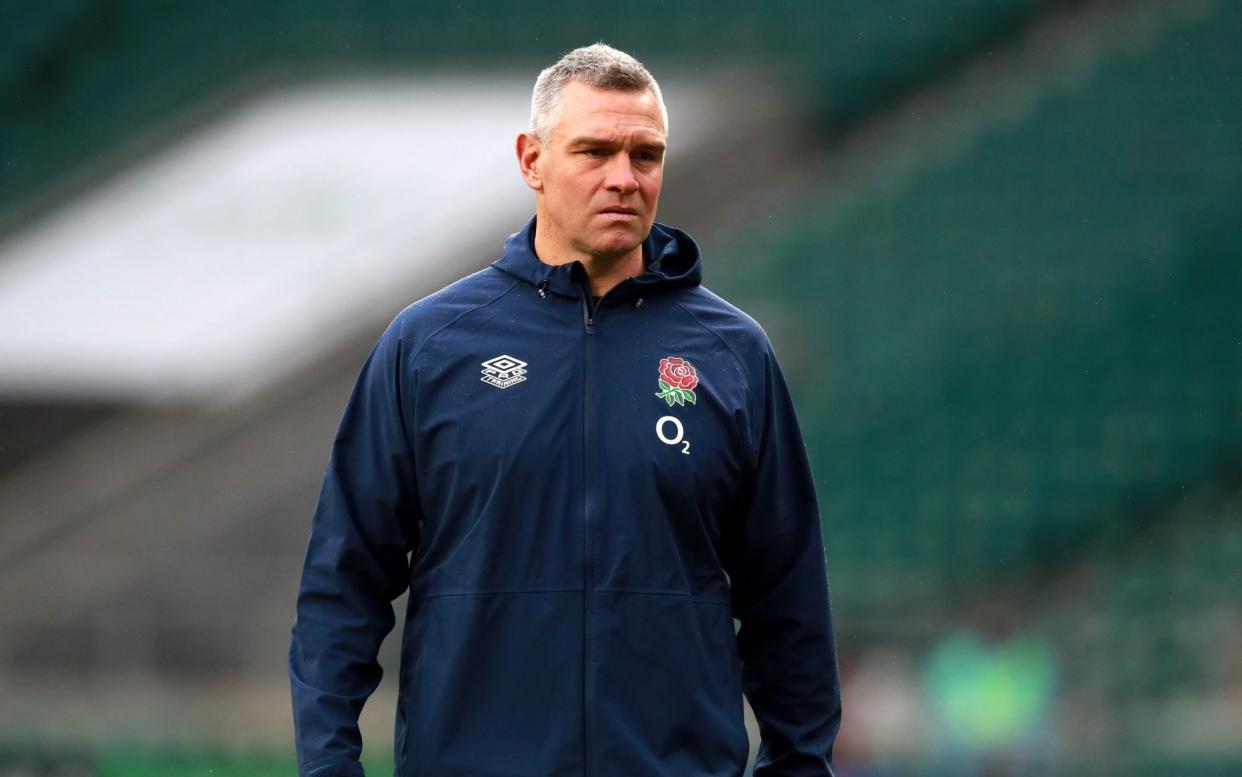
599	66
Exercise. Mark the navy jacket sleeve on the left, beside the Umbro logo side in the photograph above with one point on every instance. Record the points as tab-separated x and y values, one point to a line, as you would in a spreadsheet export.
357	564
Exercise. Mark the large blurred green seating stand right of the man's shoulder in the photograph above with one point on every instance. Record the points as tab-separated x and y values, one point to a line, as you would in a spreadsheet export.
1005	353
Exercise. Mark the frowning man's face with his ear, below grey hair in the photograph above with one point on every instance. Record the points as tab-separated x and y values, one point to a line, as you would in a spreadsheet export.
599	177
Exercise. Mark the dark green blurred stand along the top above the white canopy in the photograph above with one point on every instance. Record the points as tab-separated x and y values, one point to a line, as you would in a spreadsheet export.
94	80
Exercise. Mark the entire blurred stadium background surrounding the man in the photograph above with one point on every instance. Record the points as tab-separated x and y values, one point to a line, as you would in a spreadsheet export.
995	244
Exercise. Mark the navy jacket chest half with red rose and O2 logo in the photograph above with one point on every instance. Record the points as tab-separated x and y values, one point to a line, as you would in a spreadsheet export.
670	474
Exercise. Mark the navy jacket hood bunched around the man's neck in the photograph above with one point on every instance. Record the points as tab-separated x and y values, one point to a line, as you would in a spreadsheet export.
670	256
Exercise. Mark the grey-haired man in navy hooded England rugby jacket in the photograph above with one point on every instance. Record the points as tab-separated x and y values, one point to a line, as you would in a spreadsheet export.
584	466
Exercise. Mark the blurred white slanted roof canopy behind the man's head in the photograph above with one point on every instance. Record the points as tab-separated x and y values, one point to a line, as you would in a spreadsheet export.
271	235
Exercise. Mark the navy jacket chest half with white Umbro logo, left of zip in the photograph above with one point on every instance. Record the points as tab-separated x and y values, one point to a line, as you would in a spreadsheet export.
499	455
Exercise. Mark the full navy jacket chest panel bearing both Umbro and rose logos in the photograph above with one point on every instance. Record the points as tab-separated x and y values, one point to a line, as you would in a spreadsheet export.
540	444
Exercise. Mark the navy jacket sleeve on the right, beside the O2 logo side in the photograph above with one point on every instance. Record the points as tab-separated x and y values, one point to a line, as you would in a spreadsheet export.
779	584
